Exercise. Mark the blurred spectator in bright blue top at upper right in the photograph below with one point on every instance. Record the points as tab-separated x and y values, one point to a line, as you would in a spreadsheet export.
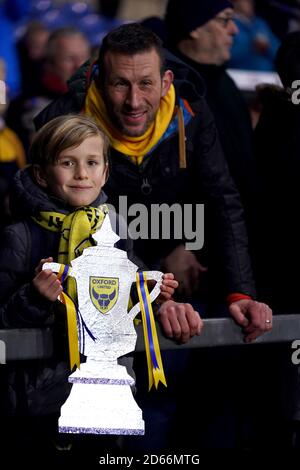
255	45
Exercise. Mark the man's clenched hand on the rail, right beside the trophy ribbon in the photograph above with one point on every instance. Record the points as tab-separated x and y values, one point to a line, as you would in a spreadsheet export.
179	321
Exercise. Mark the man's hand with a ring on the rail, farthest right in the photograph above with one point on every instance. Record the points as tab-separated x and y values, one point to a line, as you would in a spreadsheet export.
254	317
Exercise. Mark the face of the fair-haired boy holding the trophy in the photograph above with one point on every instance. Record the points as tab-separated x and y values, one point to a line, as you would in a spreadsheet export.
78	175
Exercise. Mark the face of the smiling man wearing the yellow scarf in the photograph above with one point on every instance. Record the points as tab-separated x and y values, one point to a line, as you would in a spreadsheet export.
133	87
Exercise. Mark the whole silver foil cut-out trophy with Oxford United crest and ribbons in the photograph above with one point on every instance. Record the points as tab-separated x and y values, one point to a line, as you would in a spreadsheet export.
102	329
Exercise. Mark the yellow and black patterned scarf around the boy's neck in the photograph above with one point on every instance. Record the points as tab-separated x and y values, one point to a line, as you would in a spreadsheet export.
76	229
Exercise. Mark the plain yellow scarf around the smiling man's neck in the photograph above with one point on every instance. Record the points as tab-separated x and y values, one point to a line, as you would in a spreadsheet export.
134	147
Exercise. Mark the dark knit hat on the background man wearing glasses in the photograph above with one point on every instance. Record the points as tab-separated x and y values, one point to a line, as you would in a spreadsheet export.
183	16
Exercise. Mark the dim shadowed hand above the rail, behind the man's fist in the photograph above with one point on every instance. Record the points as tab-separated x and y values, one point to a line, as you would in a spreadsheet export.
186	268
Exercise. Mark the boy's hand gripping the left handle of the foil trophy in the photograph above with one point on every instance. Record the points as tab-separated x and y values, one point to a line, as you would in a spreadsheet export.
46	282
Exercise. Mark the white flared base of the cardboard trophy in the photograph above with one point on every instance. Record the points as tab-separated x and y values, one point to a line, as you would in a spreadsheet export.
101	404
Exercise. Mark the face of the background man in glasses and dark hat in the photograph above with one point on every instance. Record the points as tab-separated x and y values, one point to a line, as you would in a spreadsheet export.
215	37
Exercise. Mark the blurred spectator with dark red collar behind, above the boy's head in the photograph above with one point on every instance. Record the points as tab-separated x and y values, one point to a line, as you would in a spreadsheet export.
67	48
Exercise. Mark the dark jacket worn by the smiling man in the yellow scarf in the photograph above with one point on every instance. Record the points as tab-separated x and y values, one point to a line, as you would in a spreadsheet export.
160	179
